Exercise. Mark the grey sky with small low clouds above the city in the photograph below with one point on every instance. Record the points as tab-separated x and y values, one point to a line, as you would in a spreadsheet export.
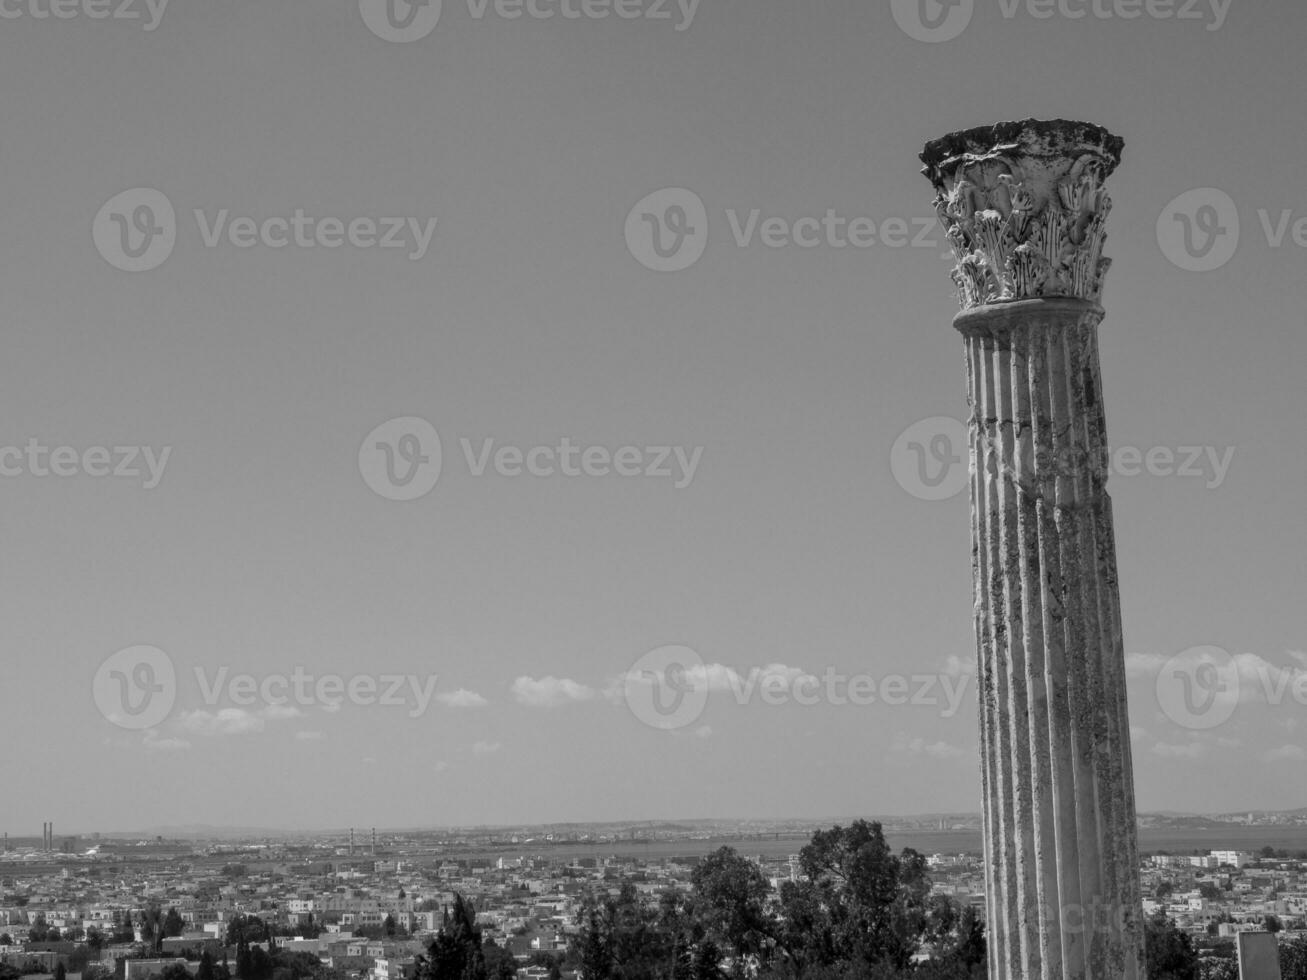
361	441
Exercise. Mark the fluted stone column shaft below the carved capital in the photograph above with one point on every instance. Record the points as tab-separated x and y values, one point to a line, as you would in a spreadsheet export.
1059	808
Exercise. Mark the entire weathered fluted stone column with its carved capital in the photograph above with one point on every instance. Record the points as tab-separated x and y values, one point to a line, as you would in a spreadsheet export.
1024	208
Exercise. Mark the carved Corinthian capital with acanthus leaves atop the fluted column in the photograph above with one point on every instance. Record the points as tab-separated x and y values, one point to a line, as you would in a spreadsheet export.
1024	208
